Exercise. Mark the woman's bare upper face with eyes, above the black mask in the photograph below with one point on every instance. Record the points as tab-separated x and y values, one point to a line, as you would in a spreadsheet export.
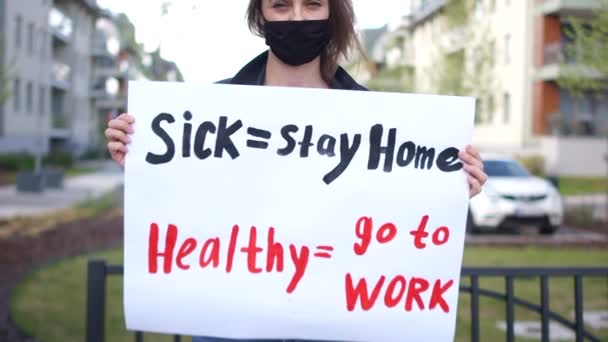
284	10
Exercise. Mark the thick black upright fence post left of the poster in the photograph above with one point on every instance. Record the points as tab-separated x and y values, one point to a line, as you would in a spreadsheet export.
96	298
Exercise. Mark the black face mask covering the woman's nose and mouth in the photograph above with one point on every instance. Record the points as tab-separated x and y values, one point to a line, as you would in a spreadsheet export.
297	42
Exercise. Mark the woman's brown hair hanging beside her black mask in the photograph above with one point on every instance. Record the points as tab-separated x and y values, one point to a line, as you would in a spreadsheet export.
342	34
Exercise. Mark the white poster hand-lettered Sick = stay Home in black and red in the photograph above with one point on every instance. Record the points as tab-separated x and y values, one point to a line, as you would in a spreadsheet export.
275	213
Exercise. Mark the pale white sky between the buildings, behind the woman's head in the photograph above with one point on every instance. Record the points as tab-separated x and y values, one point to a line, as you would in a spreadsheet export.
212	43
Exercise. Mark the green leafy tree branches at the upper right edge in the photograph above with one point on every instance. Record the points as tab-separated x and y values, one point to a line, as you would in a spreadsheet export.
588	48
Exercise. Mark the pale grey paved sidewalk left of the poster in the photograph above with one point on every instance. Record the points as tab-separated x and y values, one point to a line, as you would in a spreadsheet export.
76	189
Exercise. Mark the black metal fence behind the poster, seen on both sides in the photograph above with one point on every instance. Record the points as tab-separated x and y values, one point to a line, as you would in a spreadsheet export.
98	270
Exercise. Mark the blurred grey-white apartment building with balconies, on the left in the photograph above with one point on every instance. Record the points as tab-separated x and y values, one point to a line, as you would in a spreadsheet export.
56	55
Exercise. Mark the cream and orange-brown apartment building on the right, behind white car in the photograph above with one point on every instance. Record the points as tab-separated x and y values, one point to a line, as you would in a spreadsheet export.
508	55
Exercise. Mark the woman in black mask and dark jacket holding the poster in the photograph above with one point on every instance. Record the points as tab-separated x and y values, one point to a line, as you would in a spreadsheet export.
306	40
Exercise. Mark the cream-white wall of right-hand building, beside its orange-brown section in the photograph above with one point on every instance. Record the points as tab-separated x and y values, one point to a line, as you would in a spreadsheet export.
508	126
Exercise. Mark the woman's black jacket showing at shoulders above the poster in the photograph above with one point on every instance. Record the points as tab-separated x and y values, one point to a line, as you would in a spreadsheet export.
254	73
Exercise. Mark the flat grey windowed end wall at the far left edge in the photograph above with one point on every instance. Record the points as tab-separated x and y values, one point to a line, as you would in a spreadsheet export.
26	114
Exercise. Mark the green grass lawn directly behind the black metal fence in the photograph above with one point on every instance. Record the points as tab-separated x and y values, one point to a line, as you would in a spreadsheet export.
50	303
